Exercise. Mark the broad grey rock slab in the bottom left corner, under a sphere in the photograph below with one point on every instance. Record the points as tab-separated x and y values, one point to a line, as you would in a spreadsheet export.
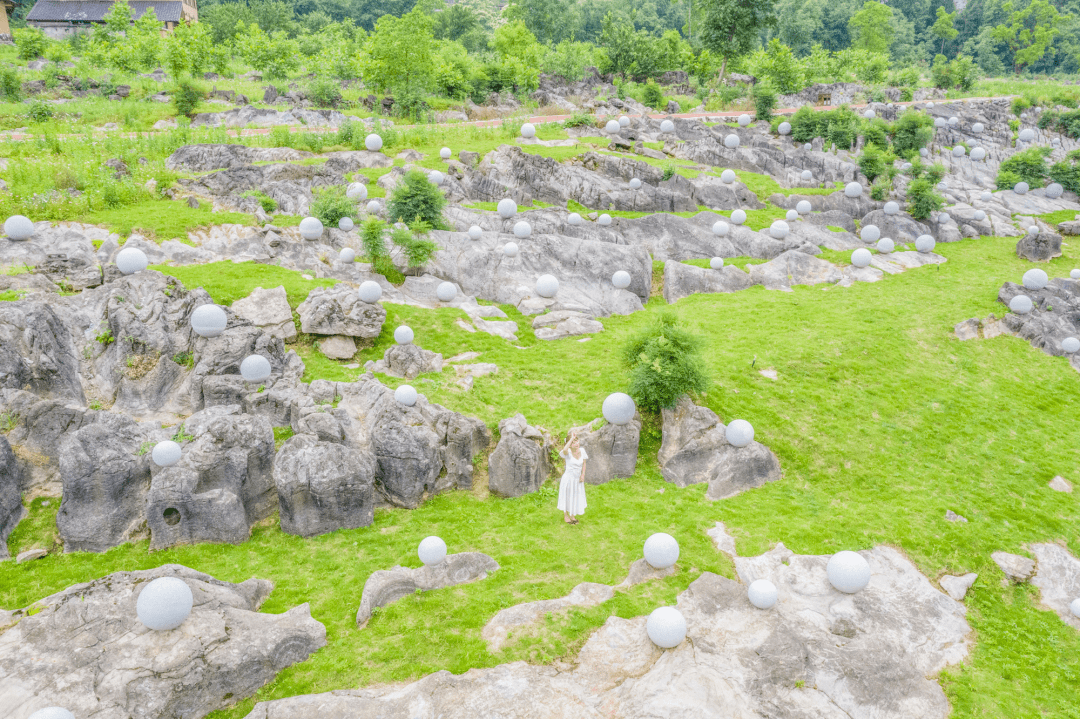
86	649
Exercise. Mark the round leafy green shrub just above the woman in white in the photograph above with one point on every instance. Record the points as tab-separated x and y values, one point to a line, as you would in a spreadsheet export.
665	362
